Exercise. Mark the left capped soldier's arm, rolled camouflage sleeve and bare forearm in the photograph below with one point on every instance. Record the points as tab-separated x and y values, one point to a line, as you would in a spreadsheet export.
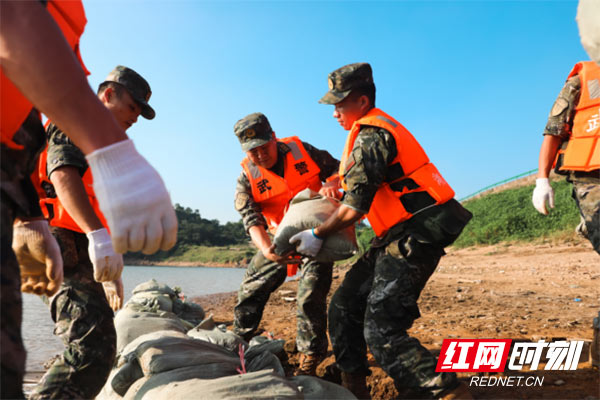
65	165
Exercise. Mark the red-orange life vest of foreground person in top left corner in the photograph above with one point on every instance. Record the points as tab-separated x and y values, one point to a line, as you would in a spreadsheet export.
14	106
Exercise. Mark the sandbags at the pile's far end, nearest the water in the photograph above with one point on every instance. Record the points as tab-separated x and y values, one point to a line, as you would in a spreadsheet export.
154	307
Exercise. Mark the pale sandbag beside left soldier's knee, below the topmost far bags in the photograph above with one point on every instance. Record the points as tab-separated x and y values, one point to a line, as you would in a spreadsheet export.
131	324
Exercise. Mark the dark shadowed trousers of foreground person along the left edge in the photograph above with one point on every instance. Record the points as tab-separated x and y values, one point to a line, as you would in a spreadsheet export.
11	344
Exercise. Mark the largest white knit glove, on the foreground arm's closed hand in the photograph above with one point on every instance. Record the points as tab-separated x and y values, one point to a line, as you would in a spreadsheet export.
133	198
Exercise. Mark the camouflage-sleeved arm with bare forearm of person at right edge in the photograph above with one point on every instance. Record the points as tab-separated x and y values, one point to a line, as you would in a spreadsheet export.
559	125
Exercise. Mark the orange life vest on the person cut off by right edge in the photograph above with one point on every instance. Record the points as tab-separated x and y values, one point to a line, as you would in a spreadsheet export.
583	148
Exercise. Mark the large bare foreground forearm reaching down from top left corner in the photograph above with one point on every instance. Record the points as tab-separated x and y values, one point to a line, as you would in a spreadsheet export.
58	89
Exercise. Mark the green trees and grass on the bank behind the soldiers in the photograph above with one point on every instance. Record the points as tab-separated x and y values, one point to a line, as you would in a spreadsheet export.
506	216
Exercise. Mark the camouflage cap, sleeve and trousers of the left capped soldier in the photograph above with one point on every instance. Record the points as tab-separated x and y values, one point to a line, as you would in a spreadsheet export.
82	316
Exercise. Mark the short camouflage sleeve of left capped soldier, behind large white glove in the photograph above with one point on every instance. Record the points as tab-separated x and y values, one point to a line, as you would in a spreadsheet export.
62	152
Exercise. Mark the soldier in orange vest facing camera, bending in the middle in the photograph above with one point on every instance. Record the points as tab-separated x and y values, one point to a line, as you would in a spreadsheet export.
273	172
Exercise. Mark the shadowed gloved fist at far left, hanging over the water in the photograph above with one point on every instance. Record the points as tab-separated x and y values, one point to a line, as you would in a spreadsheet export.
38	255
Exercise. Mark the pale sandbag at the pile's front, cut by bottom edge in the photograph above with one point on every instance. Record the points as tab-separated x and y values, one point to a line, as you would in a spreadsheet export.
254	385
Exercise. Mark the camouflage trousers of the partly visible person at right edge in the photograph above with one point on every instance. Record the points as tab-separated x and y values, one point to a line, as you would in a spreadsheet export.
587	196
